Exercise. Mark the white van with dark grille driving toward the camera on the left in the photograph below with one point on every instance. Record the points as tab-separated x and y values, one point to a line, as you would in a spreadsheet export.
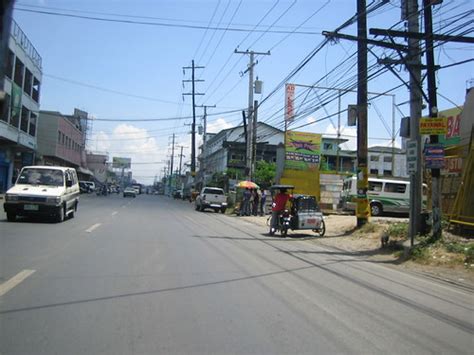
49	191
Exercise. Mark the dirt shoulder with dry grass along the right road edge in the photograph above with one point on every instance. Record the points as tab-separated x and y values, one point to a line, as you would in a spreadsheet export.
341	233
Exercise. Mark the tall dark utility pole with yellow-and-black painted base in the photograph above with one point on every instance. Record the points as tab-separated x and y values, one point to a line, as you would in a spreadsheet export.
362	211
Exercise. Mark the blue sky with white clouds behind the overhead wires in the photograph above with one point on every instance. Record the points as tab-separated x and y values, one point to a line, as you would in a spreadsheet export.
147	61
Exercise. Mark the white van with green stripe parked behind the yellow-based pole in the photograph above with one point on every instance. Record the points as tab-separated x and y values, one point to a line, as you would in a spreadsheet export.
385	195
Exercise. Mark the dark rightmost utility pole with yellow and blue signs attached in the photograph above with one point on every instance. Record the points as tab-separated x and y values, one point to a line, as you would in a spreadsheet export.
433	110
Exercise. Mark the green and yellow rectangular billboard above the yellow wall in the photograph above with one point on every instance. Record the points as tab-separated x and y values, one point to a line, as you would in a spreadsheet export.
302	150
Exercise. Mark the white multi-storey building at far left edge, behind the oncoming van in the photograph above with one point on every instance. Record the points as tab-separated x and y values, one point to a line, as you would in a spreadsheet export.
19	114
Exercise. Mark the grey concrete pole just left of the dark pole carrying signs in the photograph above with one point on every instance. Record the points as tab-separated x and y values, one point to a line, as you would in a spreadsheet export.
414	67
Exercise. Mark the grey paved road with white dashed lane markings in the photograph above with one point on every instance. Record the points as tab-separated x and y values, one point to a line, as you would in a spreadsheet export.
150	275
